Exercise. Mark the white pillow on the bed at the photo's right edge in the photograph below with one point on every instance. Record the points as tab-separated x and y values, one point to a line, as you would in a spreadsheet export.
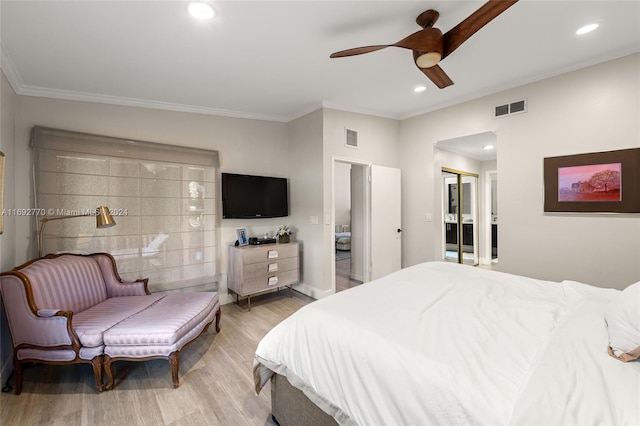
623	324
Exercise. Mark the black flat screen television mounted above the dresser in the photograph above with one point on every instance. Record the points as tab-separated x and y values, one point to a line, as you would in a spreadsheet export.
254	197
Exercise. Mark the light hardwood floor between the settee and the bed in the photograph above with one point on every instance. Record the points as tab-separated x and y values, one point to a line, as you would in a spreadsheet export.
216	381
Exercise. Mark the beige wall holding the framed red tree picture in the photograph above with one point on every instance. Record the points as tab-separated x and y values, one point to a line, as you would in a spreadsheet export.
590	110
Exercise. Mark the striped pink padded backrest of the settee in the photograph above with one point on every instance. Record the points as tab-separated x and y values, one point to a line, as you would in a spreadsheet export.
67	283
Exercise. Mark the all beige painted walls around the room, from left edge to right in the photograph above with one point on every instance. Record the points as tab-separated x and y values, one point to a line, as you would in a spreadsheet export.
595	109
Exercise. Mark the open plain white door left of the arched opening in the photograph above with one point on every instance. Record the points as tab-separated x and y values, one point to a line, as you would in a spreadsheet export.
386	232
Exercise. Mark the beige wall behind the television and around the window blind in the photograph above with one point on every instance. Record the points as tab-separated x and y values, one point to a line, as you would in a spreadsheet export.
245	146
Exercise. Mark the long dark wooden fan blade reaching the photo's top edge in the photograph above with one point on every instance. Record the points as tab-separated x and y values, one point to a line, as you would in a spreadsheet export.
478	19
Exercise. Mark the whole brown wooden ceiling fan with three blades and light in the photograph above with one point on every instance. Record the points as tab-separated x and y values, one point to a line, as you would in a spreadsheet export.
430	46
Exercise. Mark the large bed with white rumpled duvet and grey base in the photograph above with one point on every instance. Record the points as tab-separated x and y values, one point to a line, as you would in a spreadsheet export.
442	343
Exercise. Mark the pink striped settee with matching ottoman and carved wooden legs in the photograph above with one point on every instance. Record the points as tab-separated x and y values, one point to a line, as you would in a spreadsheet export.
72	308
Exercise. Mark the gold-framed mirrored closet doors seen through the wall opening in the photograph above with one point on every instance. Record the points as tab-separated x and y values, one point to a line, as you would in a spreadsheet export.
460	213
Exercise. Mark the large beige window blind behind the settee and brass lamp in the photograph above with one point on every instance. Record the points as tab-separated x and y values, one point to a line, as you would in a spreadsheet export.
162	197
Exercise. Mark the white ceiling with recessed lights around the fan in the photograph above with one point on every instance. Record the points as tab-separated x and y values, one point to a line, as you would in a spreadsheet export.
270	59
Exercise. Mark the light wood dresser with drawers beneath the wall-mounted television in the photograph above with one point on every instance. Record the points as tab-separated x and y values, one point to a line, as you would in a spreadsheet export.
260	268
